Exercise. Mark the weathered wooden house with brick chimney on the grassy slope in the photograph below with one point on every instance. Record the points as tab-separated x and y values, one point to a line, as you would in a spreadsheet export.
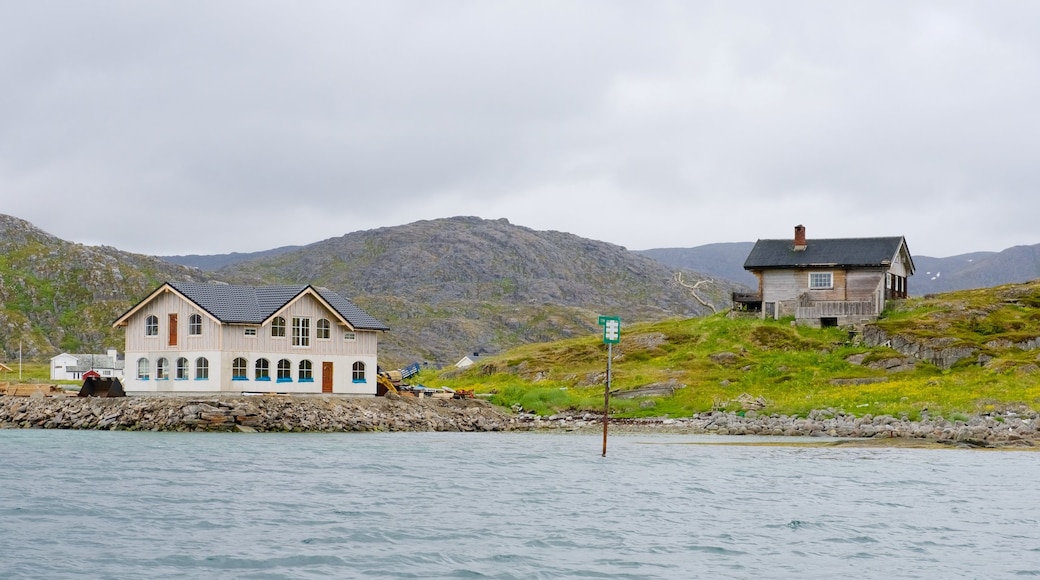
827	282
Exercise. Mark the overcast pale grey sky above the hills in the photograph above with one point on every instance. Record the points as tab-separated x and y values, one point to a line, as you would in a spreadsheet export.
215	126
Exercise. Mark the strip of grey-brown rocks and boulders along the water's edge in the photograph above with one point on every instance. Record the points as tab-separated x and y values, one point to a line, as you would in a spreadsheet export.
405	414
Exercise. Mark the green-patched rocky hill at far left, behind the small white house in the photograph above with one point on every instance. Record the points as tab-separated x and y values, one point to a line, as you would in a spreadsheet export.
58	296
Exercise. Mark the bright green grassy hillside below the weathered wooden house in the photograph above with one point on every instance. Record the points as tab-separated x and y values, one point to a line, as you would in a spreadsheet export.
773	367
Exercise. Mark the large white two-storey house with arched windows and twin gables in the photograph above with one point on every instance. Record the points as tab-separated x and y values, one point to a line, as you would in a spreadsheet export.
189	337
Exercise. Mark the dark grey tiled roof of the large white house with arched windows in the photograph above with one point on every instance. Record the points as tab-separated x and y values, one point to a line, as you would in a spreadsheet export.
253	305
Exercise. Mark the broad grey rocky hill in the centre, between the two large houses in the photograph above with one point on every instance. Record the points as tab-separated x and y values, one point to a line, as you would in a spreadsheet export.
450	287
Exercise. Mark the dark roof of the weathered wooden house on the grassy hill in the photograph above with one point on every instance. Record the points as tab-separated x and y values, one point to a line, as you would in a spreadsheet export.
824	253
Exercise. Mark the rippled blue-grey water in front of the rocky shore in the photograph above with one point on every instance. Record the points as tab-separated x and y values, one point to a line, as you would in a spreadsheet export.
85	505
